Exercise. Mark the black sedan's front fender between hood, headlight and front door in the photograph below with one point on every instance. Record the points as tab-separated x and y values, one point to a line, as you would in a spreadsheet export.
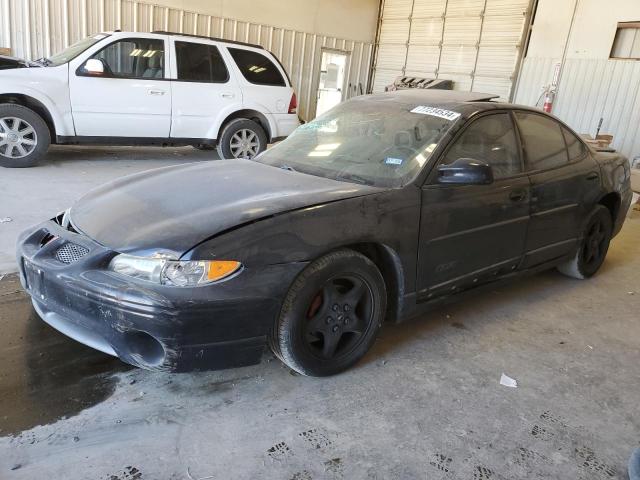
389	219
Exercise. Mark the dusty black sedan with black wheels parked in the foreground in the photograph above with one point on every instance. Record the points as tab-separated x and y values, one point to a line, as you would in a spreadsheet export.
380	208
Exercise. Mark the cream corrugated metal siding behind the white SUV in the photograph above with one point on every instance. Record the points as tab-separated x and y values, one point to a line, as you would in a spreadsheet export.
37	28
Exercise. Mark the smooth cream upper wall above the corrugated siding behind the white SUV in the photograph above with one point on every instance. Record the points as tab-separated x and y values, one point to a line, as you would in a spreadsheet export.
350	19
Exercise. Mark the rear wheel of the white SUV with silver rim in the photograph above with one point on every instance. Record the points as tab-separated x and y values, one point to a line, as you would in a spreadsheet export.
238	131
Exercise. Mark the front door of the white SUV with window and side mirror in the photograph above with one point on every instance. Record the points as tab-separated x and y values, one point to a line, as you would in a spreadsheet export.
131	98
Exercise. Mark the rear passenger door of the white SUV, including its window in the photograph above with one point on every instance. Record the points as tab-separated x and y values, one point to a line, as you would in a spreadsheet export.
203	88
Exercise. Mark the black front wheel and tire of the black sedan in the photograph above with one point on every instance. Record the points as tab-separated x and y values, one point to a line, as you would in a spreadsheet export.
331	314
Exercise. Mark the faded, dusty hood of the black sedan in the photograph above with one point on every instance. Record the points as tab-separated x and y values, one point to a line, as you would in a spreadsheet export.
172	209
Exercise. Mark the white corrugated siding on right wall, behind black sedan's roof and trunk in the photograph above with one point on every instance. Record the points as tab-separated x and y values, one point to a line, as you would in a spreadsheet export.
590	90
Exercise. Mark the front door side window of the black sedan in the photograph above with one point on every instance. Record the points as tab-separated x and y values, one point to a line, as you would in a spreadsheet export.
492	140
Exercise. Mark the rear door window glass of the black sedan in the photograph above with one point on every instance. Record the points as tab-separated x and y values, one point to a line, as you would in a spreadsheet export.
543	141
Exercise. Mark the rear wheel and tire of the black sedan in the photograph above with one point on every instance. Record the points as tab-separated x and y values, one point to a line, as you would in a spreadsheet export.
594	244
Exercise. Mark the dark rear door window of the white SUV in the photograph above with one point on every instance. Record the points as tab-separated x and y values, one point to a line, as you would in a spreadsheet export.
198	62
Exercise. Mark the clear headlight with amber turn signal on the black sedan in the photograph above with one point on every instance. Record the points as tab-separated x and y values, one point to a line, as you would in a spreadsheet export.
173	272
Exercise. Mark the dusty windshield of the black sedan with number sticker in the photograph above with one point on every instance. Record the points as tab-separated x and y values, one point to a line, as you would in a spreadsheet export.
369	140
